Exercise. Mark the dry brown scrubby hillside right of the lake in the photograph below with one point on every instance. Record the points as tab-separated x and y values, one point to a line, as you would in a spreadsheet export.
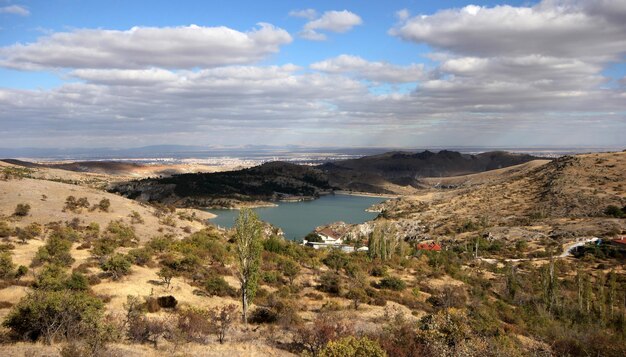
564	198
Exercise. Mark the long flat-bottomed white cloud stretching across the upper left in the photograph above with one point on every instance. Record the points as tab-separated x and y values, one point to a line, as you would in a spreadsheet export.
142	47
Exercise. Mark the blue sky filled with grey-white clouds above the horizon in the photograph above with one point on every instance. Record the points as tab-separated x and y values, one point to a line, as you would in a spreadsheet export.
312	73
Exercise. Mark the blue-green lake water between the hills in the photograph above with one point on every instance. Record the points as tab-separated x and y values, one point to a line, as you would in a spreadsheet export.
297	219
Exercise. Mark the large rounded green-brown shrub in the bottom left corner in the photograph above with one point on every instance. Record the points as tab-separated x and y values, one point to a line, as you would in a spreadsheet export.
52	314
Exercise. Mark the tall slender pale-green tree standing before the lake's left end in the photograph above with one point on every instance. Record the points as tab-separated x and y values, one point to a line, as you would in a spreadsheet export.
248	236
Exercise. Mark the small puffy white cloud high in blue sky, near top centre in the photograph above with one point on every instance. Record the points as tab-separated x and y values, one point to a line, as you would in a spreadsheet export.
333	21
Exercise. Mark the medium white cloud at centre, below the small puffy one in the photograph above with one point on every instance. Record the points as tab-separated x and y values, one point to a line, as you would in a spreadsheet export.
373	71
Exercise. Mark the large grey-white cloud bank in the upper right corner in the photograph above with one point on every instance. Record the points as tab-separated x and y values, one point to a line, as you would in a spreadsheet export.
552	28
